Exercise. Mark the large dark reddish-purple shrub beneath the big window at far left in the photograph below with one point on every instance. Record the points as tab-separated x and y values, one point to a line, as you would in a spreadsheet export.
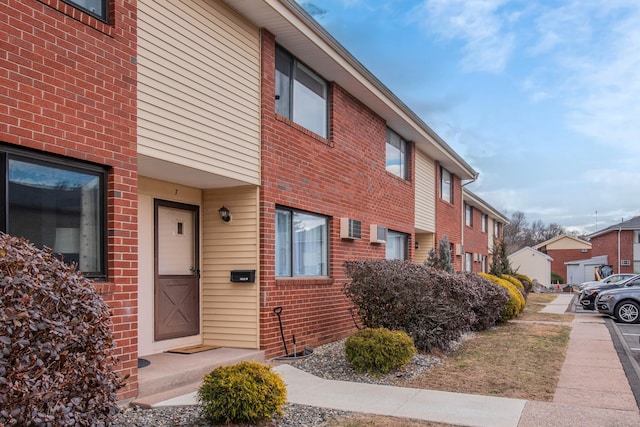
57	351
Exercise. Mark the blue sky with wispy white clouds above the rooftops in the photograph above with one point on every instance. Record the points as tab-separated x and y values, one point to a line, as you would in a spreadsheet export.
542	98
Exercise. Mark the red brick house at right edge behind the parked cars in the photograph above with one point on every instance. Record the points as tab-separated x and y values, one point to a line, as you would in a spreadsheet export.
621	243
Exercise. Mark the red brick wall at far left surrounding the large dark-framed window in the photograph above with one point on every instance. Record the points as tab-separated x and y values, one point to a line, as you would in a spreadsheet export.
68	87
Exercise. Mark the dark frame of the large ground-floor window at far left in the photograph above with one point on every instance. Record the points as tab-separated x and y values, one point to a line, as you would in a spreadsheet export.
53	161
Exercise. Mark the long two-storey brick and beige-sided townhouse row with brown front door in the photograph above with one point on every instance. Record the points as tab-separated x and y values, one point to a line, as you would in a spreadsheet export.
207	162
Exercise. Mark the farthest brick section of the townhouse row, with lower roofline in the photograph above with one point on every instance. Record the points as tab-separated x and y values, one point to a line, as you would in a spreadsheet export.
482	226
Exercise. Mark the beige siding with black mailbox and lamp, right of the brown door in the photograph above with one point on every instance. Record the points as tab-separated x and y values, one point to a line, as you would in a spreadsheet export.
230	311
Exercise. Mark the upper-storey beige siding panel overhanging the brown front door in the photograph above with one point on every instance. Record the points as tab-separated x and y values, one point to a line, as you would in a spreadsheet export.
199	87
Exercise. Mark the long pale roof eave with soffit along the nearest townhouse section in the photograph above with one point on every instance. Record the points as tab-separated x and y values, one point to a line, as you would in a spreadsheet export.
306	39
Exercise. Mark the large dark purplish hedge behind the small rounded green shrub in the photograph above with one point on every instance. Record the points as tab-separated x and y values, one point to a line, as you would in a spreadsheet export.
434	307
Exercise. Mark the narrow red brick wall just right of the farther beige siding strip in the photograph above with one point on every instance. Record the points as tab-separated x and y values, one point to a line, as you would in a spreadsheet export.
449	218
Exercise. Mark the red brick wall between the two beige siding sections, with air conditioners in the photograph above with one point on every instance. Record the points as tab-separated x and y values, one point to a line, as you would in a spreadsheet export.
342	176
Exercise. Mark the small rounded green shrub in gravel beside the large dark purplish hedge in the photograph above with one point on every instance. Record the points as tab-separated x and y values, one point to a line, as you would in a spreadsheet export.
378	351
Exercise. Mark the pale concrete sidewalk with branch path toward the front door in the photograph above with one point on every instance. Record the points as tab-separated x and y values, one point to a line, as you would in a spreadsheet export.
592	390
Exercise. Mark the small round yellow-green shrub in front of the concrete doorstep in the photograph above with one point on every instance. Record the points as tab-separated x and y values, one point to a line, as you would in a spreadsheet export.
246	392
